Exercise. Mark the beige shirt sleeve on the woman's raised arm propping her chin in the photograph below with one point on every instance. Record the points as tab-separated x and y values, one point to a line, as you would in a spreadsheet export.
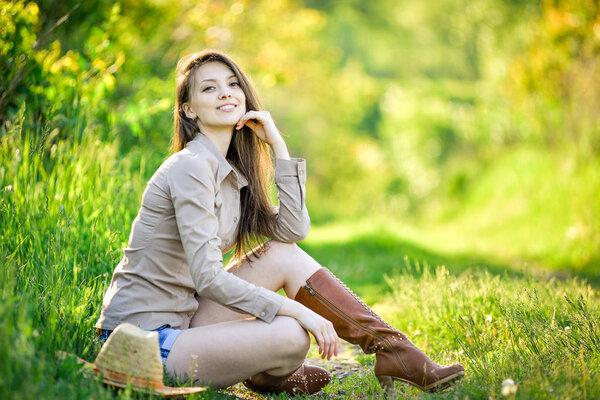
293	222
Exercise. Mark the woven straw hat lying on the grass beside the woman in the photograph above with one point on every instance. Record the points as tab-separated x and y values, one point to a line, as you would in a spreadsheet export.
131	355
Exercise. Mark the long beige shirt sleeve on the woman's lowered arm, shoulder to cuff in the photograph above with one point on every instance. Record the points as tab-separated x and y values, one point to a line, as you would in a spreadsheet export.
193	187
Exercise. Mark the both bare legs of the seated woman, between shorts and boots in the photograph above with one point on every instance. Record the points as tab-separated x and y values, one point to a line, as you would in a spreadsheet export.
223	347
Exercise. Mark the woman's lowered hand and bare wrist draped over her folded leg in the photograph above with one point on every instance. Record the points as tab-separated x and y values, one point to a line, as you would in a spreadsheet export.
319	327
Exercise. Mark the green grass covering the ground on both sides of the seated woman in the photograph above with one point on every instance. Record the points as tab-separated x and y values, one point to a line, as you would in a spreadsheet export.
66	211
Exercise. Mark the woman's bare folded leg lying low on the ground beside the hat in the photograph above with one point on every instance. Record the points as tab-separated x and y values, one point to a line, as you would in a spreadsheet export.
227	353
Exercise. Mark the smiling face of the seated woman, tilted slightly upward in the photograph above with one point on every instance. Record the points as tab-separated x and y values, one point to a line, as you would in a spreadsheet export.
217	99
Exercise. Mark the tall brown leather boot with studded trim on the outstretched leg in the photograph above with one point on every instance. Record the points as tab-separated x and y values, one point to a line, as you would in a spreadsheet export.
396	357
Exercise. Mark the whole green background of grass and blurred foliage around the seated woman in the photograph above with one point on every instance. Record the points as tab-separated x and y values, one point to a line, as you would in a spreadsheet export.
453	134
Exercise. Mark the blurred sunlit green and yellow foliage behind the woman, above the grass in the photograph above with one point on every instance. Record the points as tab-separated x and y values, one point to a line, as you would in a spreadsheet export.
476	122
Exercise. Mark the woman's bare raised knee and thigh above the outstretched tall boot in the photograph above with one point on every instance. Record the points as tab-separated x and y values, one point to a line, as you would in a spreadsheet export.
282	265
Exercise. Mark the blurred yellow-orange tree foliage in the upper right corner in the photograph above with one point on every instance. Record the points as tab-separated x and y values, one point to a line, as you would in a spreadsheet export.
554	82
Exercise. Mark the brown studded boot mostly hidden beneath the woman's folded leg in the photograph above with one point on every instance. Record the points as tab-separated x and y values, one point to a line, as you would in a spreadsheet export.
305	380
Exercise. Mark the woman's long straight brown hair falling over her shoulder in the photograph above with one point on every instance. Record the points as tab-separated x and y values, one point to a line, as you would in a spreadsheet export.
247	152
